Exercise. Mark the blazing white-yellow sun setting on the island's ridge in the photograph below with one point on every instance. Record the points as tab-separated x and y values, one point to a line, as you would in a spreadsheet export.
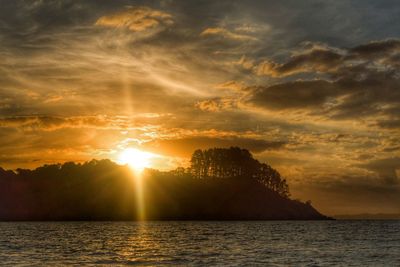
135	158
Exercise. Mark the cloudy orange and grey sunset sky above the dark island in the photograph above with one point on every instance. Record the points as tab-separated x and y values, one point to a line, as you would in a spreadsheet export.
309	87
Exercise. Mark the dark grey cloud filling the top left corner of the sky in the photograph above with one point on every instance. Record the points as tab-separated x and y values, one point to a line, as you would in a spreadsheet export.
27	26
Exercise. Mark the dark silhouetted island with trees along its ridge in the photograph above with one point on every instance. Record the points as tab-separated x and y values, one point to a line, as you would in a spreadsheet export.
220	184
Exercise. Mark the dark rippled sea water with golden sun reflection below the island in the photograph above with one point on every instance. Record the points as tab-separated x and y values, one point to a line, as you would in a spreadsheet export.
266	243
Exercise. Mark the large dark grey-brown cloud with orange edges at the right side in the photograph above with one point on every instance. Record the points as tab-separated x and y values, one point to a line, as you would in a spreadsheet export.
357	83
